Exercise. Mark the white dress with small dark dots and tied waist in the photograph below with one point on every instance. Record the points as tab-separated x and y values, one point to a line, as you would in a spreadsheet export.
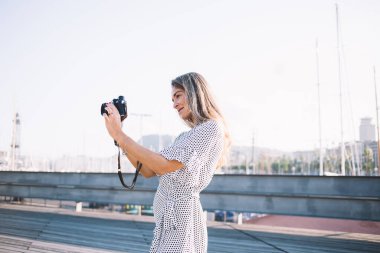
180	222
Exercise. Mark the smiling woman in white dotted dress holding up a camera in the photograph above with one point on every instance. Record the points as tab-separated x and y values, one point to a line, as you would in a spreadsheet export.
185	168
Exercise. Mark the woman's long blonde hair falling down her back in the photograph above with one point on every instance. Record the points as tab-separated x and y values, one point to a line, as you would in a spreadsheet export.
202	106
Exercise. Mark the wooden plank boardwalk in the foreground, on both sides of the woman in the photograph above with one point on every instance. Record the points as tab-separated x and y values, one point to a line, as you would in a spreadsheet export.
43	229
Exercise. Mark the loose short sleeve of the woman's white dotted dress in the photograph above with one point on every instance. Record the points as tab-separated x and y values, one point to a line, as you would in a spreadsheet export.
200	145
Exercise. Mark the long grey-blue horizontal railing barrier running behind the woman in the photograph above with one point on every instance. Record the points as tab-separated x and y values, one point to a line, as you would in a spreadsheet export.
334	197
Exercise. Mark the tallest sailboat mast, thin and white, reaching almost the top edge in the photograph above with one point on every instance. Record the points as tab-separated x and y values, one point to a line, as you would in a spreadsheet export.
342	154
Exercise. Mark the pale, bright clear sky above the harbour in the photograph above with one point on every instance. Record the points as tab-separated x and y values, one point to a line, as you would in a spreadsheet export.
59	60
